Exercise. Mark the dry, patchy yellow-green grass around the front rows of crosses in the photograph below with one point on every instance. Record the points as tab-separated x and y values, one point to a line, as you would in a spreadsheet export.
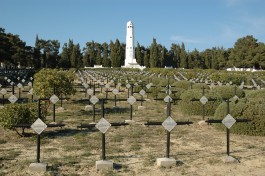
199	150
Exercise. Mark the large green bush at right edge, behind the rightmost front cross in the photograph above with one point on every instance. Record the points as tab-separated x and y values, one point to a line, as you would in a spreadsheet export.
251	107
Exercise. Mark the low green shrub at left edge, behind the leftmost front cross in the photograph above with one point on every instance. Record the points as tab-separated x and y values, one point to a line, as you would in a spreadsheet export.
13	114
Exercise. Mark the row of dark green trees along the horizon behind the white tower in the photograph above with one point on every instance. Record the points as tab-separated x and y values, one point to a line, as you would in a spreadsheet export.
247	52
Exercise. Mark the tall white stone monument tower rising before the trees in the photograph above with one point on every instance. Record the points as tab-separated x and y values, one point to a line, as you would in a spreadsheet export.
130	61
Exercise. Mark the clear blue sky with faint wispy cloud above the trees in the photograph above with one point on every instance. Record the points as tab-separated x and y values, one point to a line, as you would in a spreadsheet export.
200	24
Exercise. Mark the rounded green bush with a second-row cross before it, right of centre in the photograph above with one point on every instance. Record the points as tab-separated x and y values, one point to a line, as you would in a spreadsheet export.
190	107
